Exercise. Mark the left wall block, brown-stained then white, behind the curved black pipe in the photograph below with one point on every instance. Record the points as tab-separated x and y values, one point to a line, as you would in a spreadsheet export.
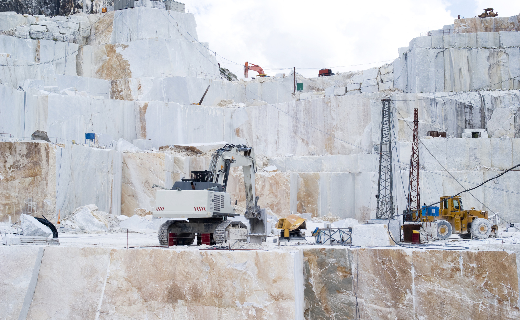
41	178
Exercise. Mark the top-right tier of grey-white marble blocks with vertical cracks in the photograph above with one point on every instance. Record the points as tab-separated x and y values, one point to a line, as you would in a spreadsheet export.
459	62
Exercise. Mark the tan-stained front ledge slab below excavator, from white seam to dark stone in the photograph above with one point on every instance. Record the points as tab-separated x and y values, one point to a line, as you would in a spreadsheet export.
202	285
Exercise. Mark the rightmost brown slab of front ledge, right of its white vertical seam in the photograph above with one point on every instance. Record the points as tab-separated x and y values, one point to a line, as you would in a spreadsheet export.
486	283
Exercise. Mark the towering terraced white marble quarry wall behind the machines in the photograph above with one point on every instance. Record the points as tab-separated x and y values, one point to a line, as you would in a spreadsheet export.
134	74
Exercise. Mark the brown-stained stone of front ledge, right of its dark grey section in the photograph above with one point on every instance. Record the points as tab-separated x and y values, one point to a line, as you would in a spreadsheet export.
434	284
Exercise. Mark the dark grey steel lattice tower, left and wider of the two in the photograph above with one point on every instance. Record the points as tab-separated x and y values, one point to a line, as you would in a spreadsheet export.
385	202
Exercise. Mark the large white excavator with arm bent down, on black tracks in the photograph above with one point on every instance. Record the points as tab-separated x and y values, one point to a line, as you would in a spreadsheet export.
200	206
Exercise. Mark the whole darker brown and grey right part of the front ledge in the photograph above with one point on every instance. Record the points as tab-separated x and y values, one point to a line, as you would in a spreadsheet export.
396	284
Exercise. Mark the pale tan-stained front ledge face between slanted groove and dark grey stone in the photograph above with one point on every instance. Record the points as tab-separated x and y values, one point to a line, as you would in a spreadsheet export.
165	283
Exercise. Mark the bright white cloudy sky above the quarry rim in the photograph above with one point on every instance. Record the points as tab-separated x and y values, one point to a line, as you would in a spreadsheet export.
309	35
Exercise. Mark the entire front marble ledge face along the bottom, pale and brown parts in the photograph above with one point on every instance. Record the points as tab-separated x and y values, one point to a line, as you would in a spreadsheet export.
317	283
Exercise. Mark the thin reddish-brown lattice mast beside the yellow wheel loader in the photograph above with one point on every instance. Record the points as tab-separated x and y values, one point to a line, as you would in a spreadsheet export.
414	197
